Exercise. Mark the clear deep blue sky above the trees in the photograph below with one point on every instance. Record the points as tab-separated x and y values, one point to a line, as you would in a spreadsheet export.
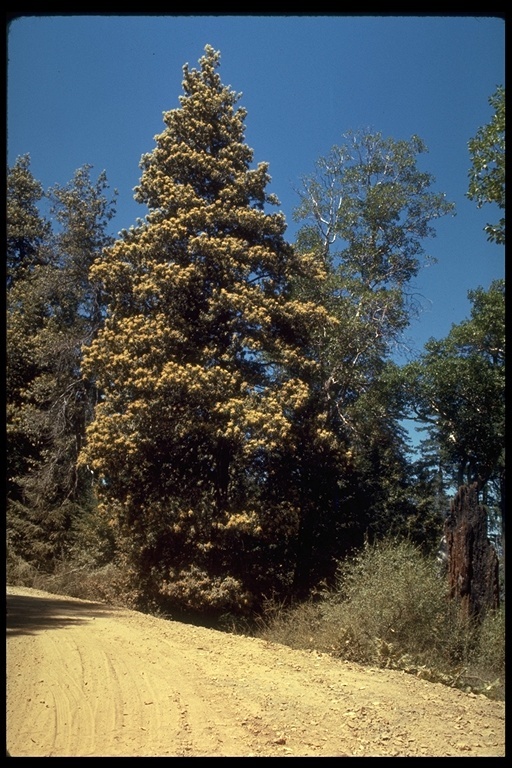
91	89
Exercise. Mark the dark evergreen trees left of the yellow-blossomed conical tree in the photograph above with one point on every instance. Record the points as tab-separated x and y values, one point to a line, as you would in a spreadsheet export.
52	311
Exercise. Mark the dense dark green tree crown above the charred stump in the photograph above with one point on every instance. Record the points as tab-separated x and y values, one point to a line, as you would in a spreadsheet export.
457	389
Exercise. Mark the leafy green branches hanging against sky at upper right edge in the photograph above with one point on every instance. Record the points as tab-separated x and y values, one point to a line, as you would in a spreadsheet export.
487	173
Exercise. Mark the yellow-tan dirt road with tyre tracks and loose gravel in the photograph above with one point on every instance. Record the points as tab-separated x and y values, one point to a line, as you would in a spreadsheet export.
87	680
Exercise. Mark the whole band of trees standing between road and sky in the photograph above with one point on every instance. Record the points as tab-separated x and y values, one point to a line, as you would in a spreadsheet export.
219	412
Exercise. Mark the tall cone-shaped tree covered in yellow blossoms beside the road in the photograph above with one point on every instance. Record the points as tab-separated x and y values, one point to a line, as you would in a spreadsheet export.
203	366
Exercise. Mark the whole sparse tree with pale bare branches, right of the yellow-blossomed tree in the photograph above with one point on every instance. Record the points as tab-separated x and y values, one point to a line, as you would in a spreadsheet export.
367	210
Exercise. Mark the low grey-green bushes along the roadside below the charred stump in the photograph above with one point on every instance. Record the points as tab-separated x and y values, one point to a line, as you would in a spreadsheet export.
390	608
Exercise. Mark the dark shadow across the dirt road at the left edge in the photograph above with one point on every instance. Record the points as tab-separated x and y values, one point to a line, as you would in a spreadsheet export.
29	614
